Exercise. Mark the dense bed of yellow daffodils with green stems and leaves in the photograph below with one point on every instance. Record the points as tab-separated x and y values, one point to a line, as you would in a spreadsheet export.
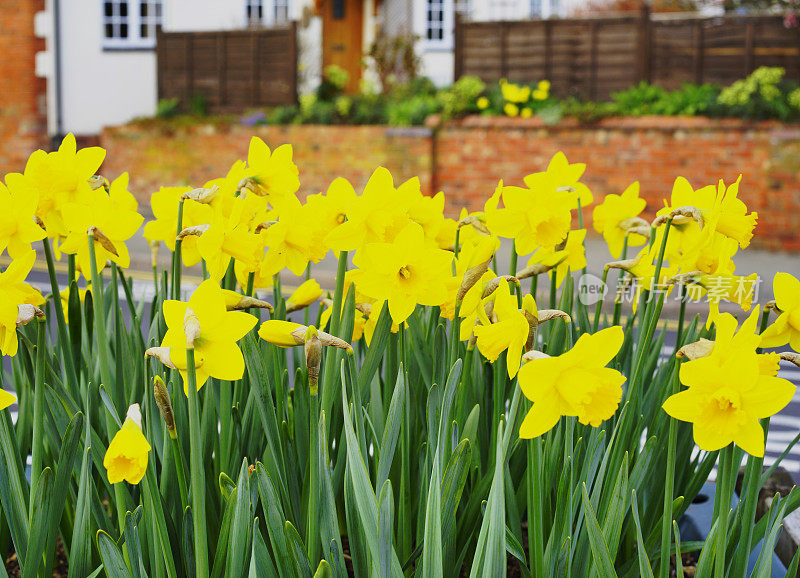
434	407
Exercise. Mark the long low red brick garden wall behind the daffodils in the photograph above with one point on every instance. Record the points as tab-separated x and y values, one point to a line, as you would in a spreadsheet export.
473	154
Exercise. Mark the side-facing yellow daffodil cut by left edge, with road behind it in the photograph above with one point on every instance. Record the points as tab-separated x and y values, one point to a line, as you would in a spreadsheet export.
13	293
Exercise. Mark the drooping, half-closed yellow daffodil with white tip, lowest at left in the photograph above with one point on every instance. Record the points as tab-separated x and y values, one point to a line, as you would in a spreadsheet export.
126	457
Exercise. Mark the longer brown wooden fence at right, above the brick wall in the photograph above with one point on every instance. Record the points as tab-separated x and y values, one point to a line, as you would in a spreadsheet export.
593	57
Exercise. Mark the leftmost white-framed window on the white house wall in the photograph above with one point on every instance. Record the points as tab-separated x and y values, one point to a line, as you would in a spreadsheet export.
131	23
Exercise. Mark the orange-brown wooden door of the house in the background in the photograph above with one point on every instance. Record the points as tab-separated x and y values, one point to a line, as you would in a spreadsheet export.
342	29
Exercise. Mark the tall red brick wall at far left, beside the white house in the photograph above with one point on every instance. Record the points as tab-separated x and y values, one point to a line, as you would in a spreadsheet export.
22	94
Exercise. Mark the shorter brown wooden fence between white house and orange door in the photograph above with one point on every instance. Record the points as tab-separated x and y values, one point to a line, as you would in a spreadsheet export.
230	70
